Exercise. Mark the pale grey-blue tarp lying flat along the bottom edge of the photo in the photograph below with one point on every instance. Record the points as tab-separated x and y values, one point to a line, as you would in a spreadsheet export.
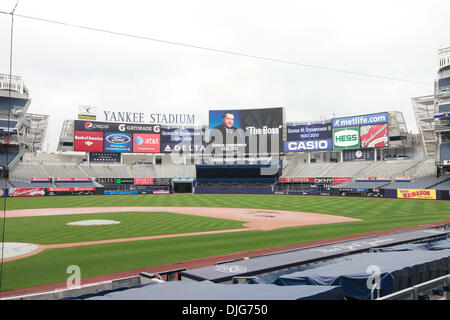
207	290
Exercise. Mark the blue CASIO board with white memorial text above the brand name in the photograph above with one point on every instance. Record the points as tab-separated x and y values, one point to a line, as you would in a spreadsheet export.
311	137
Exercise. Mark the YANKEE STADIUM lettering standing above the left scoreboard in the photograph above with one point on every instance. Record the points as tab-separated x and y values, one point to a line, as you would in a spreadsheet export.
154	118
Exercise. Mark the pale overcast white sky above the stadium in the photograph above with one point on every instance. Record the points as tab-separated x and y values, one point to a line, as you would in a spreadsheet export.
64	67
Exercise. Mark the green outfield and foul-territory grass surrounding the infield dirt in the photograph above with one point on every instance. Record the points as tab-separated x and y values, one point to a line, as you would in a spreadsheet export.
50	266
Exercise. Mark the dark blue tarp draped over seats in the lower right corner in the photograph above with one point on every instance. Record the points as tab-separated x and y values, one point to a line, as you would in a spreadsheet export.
397	270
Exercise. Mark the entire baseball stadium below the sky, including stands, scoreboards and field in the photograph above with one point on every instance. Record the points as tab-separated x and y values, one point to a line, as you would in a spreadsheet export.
248	206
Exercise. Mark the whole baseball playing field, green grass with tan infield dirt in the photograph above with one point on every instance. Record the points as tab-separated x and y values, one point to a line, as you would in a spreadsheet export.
162	235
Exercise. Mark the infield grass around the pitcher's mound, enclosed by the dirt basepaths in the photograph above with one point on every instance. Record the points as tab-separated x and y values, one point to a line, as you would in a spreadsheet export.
53	229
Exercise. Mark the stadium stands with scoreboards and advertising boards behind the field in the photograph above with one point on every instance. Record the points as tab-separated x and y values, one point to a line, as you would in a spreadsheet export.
257	150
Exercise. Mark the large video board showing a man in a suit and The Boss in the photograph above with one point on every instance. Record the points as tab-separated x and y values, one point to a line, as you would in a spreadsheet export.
252	131
